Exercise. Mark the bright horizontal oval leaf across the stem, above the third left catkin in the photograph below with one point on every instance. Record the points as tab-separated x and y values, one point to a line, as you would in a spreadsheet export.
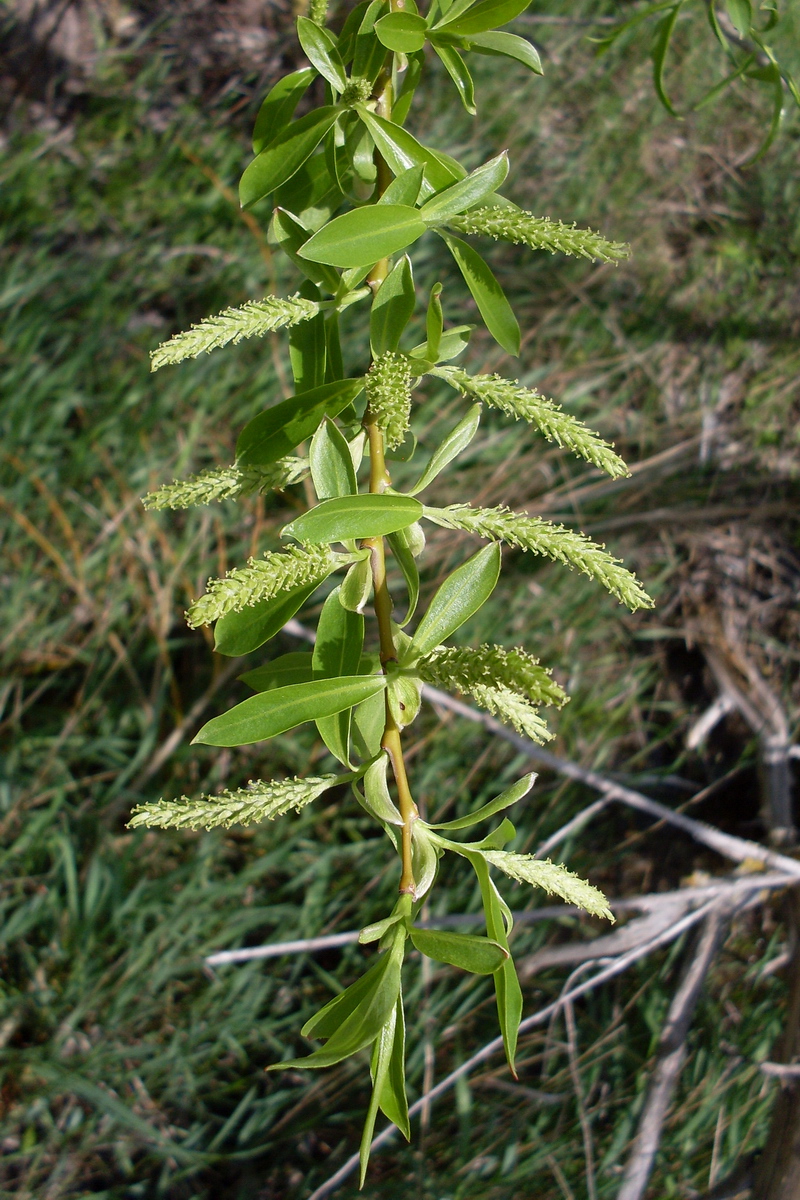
354	517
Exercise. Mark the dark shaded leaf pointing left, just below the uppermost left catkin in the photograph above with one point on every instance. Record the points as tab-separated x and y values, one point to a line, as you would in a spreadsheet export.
278	431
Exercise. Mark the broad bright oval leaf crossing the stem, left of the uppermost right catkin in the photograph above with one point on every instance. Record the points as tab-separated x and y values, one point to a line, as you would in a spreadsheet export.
364	236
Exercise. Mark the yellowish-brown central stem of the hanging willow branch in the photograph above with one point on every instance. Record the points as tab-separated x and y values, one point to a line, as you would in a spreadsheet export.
380	482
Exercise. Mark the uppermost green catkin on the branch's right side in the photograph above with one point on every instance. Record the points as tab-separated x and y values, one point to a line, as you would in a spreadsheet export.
510	224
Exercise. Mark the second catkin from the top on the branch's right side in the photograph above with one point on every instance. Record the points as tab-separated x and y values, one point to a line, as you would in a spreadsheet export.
527	405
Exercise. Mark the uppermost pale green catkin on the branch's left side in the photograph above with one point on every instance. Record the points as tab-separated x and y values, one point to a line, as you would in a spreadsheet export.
254	320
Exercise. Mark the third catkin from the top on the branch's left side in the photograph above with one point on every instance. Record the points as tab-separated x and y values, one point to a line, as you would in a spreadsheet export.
264	579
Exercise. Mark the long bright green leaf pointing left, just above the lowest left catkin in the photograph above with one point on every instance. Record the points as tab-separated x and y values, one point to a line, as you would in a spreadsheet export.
284	709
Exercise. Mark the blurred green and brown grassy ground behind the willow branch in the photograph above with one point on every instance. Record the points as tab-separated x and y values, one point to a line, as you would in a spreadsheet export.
129	1069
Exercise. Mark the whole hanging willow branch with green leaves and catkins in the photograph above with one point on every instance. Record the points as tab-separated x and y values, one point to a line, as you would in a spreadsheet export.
352	193
